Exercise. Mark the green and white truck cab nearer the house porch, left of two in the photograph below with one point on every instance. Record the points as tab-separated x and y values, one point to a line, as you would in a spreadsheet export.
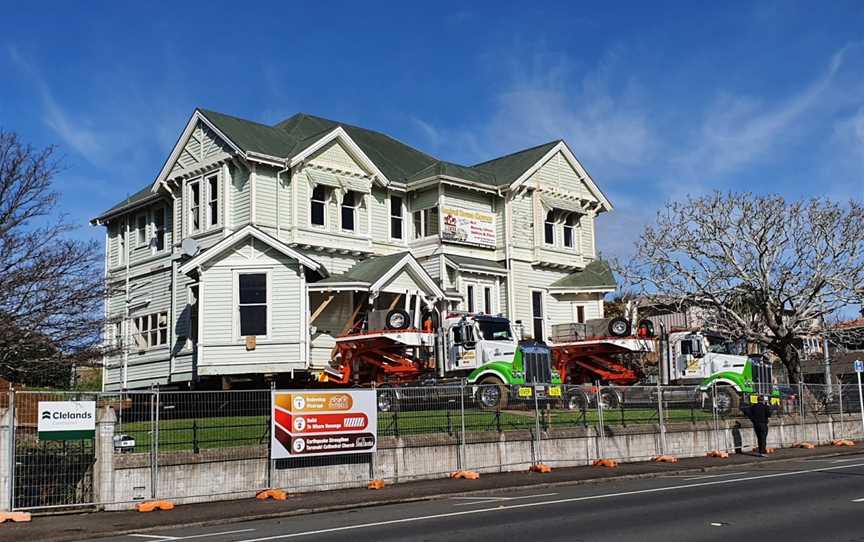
497	364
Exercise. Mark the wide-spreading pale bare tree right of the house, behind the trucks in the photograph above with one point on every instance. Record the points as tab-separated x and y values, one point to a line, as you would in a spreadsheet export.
768	271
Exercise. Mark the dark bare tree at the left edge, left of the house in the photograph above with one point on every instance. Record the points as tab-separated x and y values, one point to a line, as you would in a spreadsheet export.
51	287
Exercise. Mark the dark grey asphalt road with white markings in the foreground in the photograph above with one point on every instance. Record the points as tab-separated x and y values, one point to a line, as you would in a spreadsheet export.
808	499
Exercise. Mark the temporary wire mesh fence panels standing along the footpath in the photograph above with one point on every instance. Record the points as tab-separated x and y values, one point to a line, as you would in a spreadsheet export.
197	445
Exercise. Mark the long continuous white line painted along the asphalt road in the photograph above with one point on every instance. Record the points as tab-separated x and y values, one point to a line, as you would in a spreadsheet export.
543	503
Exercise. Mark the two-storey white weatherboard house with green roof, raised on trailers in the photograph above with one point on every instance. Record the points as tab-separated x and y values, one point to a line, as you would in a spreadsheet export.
257	245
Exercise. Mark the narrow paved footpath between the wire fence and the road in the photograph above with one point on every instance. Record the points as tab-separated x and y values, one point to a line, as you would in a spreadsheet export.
88	526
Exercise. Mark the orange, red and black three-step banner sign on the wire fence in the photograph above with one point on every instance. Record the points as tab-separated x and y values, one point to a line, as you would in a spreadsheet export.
325	422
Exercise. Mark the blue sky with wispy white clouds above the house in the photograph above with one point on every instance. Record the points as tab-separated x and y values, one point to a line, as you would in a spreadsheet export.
657	100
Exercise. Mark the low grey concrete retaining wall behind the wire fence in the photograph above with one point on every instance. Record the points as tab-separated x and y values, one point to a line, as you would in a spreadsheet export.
232	473
